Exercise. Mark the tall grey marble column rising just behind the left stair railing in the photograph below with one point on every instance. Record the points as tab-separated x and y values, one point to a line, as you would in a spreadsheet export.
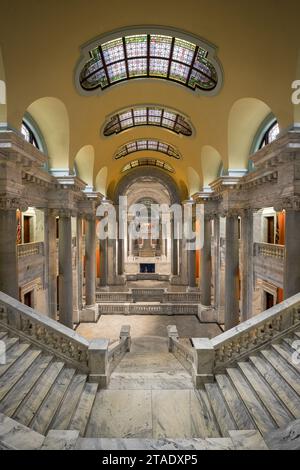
65	271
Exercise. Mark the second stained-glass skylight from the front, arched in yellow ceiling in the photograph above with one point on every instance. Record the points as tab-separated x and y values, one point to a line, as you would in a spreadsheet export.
147	116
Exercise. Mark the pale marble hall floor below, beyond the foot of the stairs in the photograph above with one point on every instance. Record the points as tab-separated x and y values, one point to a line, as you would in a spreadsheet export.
109	326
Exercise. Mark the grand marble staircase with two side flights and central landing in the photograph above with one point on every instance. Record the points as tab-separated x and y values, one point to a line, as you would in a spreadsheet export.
151	395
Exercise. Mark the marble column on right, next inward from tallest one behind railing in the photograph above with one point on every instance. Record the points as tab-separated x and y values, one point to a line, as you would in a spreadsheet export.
205	264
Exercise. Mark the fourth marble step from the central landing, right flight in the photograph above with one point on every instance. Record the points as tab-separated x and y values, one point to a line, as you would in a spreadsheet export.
278	412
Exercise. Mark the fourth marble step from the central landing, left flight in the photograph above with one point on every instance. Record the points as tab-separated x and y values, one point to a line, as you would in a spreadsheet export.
34	400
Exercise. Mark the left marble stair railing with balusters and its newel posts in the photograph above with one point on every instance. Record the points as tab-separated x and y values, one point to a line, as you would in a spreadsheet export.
95	358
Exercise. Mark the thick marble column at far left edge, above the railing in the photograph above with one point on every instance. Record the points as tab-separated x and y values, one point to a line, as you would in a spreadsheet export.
8	253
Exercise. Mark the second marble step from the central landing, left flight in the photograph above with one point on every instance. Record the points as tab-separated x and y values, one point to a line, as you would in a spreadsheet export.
69	403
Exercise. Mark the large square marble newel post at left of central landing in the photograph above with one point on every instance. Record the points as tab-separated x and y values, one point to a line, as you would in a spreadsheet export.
98	362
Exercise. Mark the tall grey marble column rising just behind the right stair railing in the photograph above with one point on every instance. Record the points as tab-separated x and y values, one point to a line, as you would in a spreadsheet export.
232	272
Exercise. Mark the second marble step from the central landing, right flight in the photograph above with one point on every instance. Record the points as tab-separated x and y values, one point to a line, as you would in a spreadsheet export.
236	406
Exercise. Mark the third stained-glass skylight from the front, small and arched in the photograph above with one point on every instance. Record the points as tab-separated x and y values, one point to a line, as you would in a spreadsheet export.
147	144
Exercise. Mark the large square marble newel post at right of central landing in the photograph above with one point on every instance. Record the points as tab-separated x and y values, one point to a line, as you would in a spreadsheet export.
204	361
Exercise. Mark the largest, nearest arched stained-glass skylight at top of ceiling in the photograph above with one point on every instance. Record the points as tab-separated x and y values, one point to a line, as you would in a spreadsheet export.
167	55
